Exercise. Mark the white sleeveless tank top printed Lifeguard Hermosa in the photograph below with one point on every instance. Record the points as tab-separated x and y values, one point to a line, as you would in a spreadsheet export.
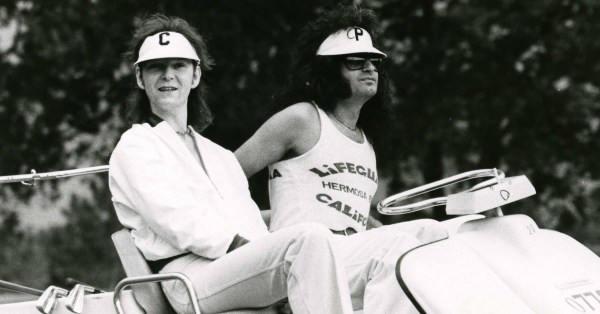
333	183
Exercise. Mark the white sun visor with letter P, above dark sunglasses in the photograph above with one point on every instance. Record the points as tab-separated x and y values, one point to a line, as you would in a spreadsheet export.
347	41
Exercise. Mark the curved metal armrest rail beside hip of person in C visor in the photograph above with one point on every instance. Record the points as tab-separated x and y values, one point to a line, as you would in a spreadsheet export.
155	278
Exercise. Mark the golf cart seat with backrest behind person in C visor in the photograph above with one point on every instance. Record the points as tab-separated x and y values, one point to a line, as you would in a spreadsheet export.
149	295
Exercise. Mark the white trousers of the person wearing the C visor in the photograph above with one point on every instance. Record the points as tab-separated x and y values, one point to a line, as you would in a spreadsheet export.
297	262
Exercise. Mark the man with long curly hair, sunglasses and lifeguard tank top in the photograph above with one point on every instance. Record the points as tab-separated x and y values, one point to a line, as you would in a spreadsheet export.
319	150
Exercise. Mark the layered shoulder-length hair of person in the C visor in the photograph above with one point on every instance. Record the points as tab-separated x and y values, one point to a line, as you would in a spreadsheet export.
138	106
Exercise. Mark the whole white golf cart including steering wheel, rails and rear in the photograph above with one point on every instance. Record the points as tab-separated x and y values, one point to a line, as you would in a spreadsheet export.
488	264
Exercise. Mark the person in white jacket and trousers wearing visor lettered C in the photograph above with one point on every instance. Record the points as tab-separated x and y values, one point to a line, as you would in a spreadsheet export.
186	199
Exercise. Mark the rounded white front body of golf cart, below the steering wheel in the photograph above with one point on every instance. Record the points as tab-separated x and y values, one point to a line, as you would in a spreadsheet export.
502	265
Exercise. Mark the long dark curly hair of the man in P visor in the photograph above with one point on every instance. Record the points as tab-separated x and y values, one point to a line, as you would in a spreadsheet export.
319	79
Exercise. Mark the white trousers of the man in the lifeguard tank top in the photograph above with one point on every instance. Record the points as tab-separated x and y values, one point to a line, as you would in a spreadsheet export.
370	259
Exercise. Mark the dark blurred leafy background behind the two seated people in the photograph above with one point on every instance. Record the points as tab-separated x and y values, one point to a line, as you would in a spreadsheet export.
477	84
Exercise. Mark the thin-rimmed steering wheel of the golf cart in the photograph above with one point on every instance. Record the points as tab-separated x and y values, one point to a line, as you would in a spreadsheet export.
388	206
